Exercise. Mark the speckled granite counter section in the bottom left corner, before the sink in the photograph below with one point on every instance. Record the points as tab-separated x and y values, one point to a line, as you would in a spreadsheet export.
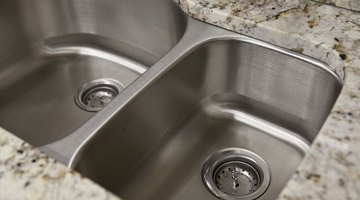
27	174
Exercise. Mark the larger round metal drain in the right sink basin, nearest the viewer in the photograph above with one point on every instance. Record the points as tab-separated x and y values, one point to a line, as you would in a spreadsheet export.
236	173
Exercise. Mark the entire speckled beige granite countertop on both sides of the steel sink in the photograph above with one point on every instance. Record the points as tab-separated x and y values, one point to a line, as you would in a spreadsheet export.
331	170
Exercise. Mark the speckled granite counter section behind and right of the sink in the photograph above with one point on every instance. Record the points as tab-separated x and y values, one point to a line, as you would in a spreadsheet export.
331	170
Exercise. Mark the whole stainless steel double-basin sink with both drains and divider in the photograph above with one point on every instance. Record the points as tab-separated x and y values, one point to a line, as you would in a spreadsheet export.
153	104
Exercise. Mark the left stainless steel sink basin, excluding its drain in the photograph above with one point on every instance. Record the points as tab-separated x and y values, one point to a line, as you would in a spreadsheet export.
51	48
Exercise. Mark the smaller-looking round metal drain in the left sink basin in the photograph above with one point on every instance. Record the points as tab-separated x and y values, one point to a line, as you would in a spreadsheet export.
93	96
